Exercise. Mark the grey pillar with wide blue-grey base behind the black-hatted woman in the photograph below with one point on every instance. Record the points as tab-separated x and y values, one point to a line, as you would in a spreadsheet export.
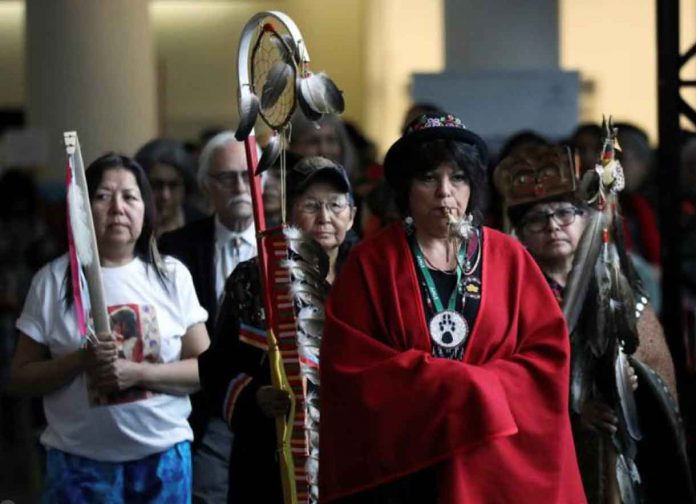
502	74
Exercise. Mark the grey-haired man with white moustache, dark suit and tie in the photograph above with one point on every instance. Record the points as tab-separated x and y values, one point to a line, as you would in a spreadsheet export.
211	248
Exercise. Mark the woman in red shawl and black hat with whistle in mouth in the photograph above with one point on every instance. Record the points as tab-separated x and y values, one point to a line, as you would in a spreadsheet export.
443	375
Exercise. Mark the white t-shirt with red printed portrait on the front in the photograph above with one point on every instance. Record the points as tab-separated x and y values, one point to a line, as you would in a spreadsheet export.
152	319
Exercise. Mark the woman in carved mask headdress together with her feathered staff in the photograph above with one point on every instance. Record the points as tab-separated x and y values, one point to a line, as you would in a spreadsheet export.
553	220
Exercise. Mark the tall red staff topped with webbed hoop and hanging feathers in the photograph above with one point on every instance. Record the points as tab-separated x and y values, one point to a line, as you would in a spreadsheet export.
274	77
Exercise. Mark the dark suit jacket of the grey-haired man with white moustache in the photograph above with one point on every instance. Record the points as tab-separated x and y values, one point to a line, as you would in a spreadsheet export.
194	245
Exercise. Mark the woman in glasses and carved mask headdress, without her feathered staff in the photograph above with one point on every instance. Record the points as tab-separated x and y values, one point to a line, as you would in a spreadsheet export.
549	216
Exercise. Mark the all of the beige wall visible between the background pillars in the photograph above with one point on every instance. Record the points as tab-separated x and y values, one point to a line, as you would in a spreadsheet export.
370	47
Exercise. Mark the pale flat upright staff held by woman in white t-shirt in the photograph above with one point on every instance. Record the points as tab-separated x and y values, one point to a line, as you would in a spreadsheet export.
82	245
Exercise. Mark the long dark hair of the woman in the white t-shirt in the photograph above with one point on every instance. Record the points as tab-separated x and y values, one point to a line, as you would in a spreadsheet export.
145	245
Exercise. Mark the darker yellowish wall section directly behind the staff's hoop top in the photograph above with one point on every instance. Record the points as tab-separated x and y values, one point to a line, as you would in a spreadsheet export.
197	50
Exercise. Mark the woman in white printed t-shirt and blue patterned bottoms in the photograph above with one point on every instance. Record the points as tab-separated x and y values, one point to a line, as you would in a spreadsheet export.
116	403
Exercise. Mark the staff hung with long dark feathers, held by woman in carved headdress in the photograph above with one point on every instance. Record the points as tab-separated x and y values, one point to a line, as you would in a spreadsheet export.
601	256
